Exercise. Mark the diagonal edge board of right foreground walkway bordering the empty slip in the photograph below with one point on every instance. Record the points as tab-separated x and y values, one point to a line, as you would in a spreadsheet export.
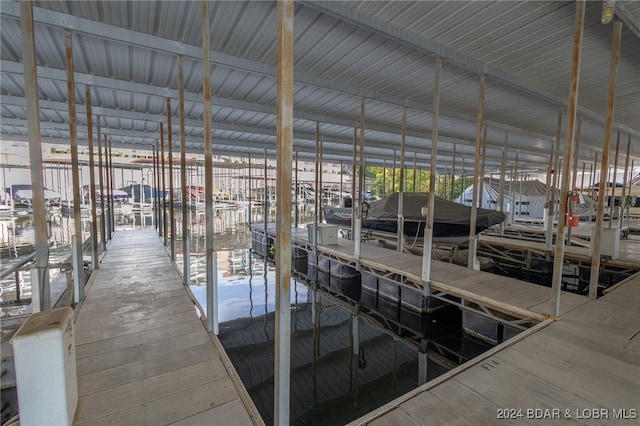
381	411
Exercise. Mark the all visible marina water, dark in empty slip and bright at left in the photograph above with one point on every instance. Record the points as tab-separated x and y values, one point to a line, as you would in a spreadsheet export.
332	380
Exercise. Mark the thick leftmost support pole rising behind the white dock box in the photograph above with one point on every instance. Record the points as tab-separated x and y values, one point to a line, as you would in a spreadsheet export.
35	158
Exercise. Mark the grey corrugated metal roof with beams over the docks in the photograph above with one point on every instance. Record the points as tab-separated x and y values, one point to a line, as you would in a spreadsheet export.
127	52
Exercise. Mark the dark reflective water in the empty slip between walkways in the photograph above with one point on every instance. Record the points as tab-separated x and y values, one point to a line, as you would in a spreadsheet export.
331	383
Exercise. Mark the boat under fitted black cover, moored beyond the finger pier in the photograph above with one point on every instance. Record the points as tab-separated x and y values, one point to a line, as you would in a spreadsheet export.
451	220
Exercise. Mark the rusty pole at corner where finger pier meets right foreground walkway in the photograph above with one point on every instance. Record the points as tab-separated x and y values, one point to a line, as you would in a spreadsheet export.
558	260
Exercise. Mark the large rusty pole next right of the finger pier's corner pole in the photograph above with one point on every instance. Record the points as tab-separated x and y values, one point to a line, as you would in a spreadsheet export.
611	102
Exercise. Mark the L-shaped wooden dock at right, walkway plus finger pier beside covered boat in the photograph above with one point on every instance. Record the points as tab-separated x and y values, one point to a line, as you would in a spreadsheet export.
594	347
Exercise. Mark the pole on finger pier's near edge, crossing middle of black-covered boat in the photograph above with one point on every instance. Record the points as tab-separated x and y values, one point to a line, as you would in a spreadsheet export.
428	230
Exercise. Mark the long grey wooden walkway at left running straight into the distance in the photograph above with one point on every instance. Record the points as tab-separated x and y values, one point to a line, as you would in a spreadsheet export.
143	355
